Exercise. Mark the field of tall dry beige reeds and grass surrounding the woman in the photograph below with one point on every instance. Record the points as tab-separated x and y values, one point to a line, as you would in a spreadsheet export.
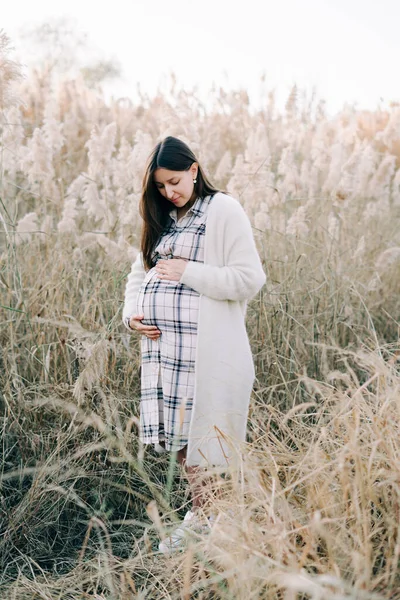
315	511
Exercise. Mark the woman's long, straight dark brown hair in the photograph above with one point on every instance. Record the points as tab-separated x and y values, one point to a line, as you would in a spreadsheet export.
174	155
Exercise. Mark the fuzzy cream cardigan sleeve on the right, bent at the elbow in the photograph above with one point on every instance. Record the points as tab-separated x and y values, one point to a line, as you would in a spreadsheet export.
242	275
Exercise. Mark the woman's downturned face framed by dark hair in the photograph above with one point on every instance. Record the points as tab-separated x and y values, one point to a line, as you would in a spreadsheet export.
176	186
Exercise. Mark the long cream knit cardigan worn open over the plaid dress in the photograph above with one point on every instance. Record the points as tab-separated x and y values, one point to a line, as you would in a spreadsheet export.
230	276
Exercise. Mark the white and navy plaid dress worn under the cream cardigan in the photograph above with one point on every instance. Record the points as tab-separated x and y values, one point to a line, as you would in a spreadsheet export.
168	364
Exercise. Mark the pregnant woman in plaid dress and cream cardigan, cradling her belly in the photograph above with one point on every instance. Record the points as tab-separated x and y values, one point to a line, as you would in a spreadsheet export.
186	295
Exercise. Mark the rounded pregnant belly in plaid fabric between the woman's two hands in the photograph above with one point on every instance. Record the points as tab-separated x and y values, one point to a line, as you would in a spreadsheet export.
169	305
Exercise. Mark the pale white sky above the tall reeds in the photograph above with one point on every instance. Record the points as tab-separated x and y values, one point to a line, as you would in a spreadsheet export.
348	50
